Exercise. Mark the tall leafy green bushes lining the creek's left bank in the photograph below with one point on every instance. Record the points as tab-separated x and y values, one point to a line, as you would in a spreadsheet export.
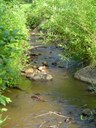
13	35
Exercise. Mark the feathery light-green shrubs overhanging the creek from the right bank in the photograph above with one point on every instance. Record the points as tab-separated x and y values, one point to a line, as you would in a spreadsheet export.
69	23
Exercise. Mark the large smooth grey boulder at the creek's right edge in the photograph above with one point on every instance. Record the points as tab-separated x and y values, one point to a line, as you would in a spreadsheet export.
87	74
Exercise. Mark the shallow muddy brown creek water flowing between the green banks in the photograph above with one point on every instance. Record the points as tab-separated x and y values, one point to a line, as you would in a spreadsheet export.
63	94
